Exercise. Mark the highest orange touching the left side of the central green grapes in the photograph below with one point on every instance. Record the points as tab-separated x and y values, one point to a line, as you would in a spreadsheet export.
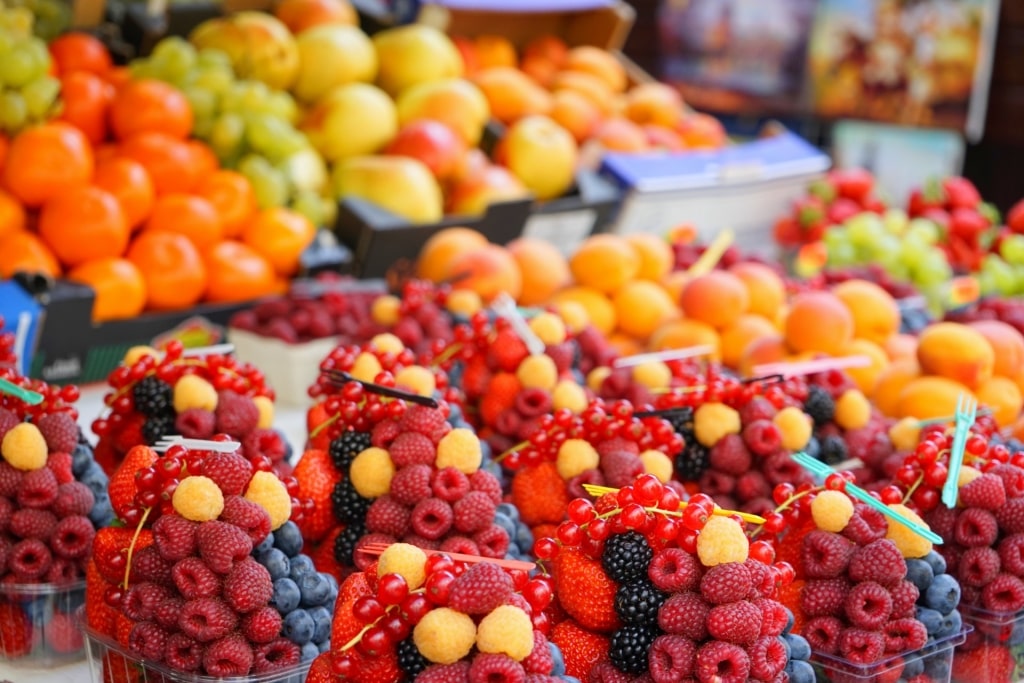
151	107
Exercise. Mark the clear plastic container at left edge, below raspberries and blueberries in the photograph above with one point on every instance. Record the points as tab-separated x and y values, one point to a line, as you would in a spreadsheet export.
40	624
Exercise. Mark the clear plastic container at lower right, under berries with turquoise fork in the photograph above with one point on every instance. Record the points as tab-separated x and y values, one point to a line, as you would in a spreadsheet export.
936	660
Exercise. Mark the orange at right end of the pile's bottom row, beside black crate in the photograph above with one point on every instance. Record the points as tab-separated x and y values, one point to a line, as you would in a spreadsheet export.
237	273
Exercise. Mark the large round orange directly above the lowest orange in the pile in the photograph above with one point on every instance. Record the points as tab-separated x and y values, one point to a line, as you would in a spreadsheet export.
83	225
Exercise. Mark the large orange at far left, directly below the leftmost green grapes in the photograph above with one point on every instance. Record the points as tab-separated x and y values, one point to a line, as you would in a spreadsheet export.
47	161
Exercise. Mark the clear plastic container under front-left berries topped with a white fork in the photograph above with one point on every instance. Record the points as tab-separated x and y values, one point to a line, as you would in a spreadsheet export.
110	662
